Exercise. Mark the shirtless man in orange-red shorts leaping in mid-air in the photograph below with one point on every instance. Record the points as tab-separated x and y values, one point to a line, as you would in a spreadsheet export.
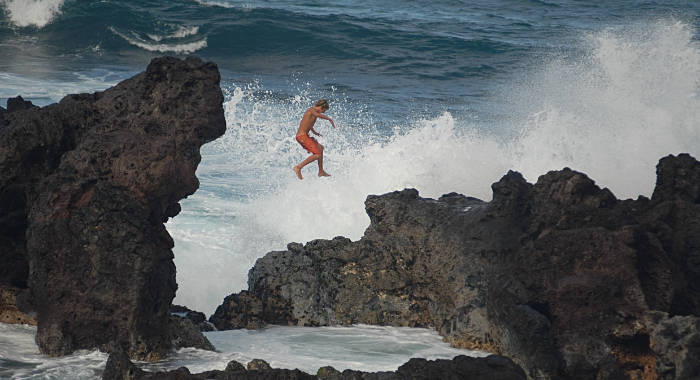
309	143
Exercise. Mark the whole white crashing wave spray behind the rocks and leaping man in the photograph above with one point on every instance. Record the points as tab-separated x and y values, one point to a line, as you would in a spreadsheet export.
630	101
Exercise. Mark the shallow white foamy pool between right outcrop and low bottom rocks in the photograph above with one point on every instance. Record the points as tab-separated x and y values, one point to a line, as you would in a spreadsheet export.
366	348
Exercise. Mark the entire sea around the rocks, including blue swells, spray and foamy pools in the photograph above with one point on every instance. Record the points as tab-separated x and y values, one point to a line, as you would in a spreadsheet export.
441	96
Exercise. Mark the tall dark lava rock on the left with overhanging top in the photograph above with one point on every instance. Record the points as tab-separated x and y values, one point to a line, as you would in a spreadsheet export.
85	187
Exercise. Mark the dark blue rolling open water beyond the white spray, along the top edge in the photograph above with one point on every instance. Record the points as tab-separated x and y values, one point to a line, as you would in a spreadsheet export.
402	57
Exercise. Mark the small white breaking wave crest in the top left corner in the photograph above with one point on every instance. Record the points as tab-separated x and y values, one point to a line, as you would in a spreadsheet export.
38	13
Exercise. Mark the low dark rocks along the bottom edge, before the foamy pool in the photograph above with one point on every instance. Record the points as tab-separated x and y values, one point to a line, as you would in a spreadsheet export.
462	367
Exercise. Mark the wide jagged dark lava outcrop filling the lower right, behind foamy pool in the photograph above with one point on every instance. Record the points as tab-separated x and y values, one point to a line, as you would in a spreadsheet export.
561	276
